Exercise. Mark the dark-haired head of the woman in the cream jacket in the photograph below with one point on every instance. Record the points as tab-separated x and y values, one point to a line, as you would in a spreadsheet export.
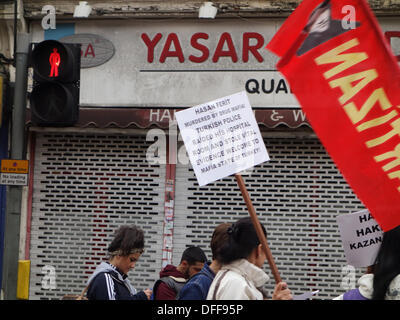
243	243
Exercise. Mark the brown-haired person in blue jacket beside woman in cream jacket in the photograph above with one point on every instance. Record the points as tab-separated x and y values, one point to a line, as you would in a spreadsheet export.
196	288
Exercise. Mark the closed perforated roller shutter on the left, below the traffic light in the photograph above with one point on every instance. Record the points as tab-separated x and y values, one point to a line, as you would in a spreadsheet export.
85	187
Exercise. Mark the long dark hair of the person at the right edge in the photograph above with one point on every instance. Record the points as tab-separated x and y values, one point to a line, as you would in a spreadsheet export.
387	263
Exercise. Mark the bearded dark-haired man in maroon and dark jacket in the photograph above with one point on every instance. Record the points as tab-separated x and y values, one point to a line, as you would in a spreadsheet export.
172	278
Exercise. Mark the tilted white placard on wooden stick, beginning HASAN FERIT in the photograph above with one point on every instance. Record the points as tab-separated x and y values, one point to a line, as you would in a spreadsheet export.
221	137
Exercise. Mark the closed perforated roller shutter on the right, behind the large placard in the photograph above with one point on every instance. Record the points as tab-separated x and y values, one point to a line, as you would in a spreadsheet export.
297	196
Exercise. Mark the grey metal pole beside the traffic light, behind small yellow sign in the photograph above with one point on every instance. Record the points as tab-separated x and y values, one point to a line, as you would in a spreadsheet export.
14	194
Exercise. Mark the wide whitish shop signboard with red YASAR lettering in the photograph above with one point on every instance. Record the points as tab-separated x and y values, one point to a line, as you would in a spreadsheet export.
160	62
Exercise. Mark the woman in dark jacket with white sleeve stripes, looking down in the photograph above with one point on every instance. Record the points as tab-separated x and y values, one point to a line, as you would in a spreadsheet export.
110	281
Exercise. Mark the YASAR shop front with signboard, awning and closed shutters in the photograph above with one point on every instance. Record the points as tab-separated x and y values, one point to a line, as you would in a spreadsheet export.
124	161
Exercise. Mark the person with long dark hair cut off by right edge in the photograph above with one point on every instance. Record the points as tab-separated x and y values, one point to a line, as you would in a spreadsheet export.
382	280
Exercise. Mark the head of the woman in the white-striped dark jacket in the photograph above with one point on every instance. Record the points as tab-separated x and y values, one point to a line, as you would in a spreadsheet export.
126	247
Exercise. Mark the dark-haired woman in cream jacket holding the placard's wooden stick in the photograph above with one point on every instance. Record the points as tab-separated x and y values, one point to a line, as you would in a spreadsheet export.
241	276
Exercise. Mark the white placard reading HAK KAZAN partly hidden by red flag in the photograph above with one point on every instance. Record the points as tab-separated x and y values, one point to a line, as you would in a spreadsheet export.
361	237
